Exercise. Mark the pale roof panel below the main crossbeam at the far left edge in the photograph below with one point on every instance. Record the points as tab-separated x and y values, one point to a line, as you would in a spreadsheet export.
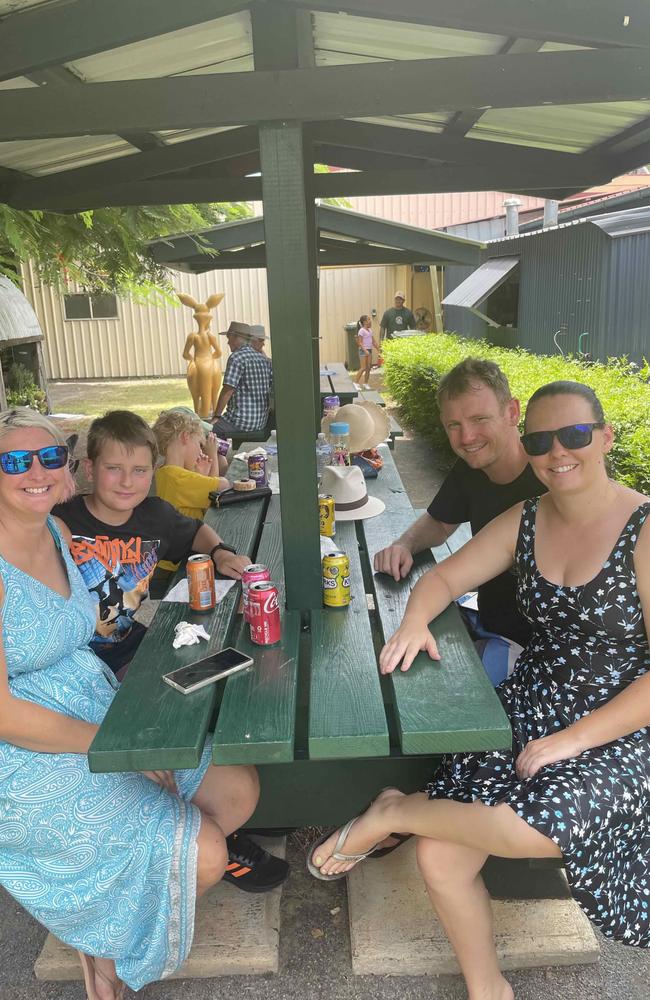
50	156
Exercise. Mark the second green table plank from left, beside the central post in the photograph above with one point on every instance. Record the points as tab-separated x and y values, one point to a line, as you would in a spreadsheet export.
257	716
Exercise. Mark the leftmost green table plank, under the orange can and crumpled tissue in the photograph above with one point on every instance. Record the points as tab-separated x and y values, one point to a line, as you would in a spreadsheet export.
149	726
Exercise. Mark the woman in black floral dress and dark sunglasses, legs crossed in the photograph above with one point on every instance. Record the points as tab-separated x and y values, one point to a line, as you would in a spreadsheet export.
576	782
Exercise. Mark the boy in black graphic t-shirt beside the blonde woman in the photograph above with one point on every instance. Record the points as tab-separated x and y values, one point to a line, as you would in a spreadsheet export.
119	534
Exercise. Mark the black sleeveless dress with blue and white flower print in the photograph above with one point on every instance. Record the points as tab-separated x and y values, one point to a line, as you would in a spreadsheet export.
588	644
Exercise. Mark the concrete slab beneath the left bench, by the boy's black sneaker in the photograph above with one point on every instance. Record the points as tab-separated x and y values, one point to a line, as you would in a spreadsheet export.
235	933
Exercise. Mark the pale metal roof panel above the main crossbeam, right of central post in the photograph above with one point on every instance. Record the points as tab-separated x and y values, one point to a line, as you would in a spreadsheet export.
344	38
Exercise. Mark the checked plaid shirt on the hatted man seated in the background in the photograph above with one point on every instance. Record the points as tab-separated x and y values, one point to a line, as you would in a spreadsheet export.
251	375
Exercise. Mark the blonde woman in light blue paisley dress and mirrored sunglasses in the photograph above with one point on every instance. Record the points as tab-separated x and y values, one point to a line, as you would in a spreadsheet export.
112	864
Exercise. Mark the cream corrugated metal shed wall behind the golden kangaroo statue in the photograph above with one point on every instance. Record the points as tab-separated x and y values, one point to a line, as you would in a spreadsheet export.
147	341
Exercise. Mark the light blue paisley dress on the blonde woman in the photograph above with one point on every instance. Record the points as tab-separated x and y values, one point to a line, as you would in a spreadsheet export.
107	862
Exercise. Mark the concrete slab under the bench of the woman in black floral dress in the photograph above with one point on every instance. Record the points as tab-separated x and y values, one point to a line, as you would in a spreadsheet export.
394	930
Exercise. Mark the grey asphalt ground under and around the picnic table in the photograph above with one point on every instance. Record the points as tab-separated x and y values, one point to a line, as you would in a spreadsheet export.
314	951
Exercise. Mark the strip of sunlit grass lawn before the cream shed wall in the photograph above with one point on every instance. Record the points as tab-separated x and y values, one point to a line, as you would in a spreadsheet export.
147	397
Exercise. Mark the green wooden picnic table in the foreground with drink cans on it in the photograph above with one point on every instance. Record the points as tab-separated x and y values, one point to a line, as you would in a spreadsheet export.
325	730
